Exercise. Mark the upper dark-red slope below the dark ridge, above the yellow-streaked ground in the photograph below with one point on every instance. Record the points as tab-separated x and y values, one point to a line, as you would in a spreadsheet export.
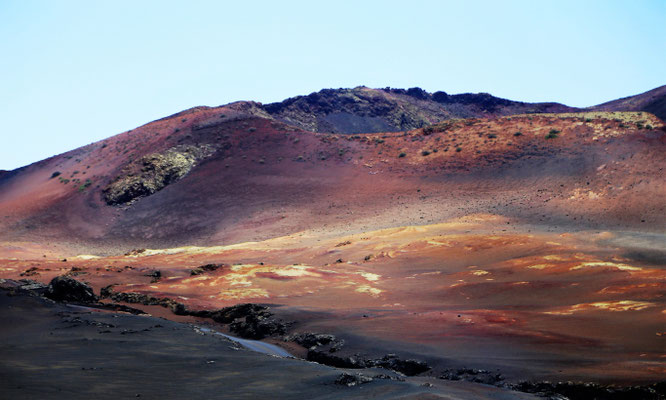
261	179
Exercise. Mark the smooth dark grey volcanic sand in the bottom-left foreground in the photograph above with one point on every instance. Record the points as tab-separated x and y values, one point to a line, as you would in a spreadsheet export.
52	351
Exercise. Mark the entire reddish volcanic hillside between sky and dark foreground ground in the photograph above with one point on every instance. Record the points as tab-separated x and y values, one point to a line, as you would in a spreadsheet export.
526	242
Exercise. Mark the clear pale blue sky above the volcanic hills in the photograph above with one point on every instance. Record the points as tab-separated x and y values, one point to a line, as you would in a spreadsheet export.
74	72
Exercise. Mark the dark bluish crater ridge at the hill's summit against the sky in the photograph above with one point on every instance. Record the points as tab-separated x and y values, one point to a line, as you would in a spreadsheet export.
365	110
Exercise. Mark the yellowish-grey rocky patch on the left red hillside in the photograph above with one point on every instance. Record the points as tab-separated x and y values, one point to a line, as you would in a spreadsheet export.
153	172
